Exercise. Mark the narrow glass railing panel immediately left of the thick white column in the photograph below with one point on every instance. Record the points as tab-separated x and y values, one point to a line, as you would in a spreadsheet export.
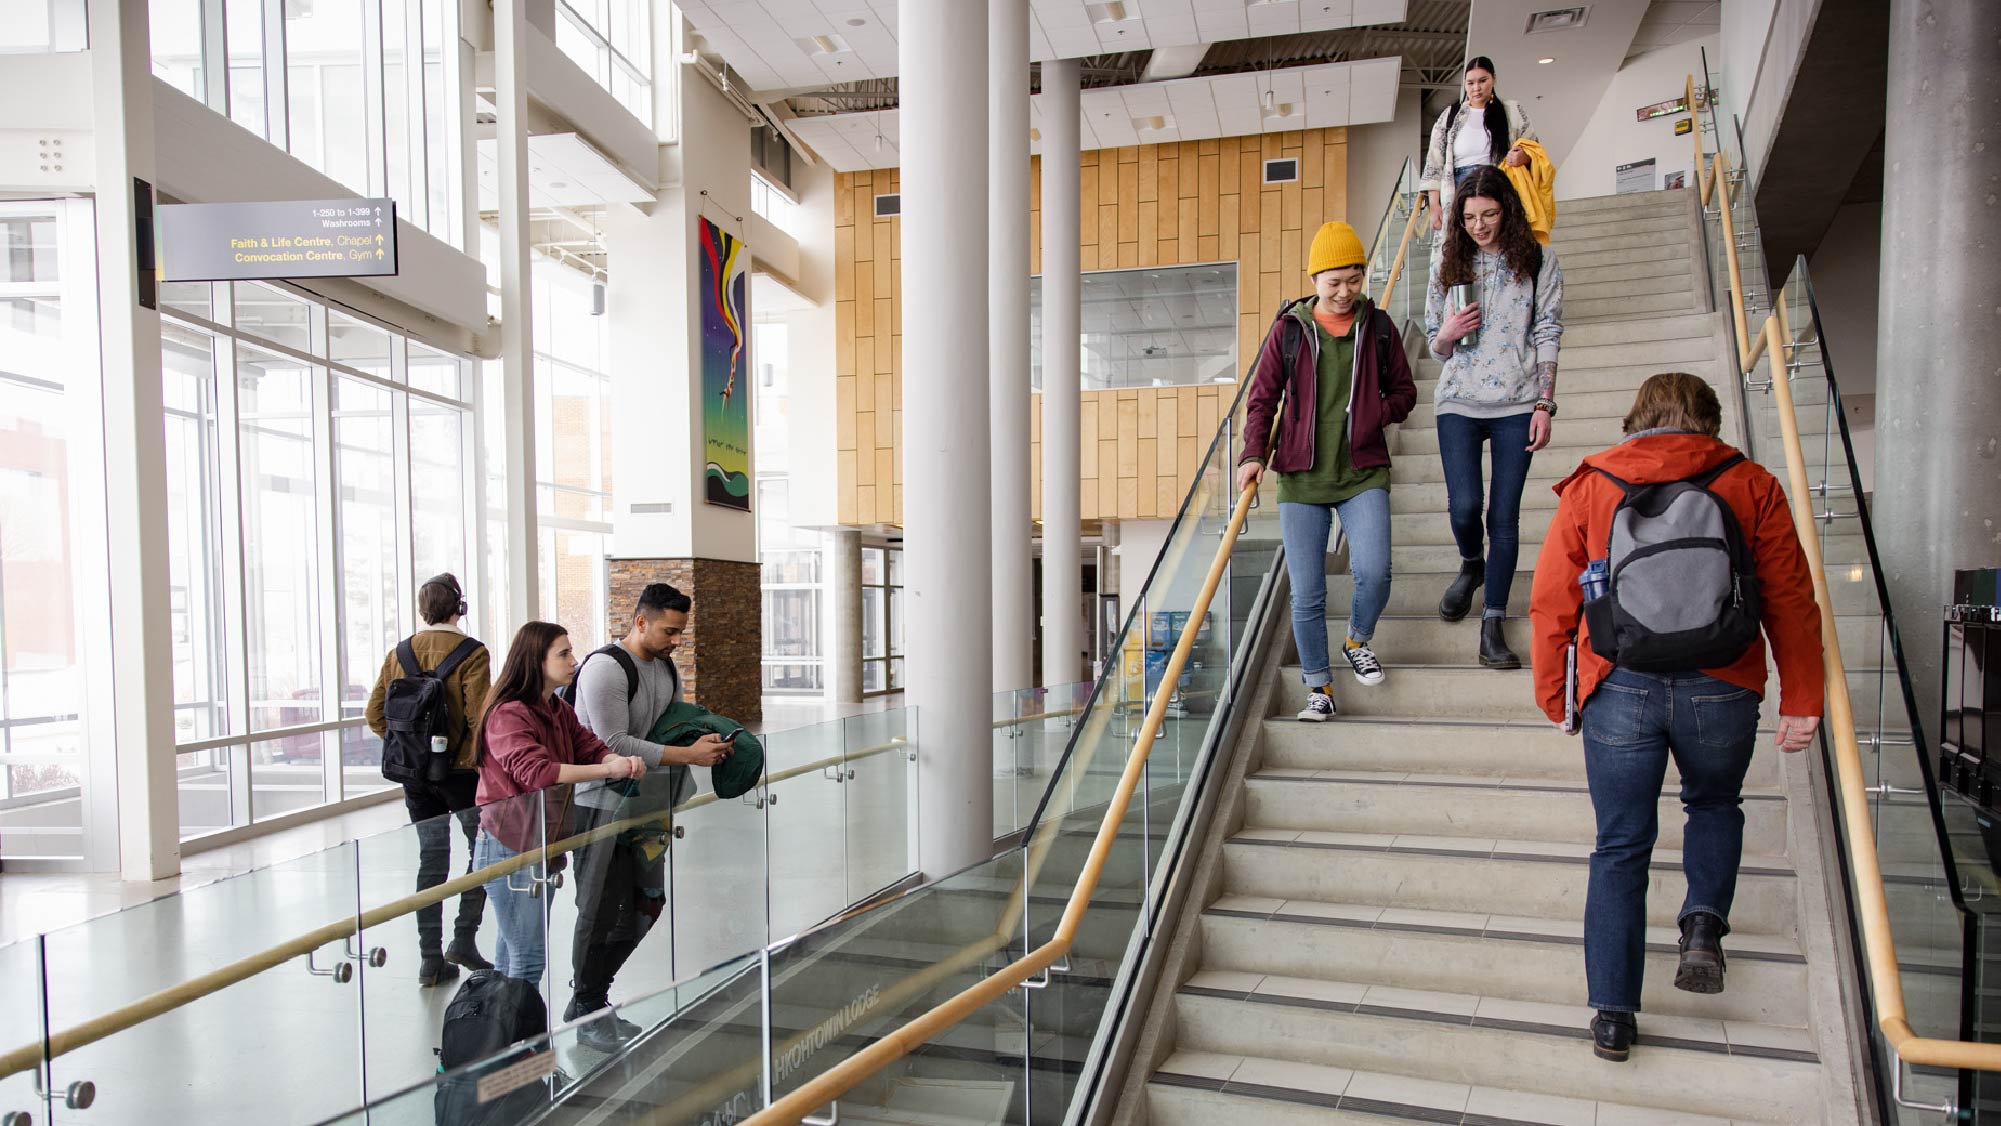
881	801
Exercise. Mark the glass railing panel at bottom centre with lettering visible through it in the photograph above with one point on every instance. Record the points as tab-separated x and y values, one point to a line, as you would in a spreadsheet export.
841	987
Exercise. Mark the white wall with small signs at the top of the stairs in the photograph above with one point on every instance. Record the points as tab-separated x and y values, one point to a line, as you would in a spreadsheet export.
1614	137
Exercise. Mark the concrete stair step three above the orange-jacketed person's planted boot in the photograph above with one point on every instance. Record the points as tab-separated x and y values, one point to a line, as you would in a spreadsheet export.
1486	807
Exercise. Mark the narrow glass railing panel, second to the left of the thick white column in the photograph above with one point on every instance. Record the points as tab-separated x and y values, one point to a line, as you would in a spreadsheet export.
809	825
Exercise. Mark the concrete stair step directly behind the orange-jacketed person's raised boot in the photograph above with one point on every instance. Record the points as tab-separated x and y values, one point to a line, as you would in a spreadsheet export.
1508	957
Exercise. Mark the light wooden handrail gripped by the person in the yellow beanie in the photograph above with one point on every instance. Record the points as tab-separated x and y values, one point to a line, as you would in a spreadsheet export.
913	1035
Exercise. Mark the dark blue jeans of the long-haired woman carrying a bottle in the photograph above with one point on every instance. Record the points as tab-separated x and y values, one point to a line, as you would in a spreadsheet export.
1460	449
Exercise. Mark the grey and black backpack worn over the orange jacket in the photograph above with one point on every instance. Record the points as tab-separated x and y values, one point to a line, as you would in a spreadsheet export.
1684	583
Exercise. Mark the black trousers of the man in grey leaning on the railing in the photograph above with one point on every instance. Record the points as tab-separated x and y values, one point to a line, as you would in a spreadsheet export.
613	909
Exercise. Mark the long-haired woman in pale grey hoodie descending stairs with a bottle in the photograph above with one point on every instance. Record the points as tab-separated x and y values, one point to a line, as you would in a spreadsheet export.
1498	391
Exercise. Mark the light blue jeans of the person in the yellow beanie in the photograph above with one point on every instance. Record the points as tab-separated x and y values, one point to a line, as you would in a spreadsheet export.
1306	531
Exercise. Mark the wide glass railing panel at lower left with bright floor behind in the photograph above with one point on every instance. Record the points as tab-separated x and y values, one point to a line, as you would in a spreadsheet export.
213	1057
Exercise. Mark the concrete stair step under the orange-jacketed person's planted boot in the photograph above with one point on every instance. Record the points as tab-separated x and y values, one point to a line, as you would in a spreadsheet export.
1766	1073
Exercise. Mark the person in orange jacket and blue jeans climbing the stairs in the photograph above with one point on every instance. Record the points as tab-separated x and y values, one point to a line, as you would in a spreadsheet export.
1706	719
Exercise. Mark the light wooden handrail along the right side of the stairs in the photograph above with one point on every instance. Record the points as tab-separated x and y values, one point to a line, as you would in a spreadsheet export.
1872	905
